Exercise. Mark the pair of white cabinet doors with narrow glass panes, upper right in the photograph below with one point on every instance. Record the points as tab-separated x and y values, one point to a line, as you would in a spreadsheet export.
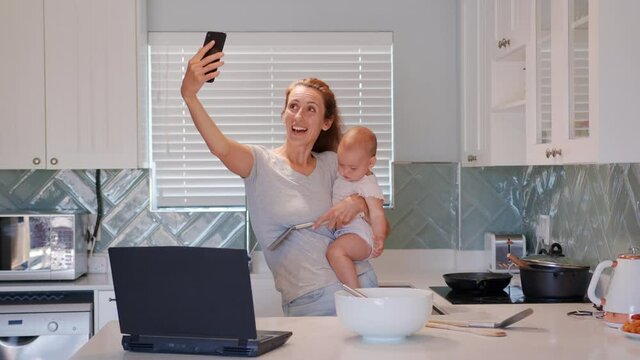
560	126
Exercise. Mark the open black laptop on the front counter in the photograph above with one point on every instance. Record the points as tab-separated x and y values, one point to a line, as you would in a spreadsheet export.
187	300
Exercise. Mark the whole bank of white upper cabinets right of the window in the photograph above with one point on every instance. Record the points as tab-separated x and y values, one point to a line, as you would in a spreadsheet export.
569	94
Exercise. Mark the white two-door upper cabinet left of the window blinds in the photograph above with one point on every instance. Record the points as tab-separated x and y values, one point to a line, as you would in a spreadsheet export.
72	85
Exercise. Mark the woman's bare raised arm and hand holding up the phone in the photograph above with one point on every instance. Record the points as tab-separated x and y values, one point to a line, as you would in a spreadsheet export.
237	157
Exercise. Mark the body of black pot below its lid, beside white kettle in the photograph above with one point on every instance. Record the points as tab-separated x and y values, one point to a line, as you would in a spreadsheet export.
560	284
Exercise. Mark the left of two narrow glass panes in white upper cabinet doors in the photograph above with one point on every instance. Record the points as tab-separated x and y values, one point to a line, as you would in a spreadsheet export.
543	73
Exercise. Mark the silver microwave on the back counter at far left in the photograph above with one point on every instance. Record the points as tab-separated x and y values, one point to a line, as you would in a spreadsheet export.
51	246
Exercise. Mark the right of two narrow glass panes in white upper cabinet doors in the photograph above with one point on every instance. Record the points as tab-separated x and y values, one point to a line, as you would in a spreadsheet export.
578	69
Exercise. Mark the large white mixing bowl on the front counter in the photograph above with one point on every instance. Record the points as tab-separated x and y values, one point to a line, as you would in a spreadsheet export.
387	314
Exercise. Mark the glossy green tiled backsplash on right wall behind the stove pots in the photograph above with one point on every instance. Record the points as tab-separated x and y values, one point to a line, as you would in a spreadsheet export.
594	209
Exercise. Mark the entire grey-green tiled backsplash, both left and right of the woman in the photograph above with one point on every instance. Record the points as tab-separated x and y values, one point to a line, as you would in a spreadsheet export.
593	208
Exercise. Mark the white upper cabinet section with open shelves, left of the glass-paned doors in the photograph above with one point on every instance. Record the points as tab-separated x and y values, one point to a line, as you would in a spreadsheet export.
493	85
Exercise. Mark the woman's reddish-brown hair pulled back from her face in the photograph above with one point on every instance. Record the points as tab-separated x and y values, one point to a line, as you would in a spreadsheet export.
328	139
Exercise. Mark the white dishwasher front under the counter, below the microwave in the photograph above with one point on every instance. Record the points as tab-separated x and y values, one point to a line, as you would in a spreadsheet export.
44	325
